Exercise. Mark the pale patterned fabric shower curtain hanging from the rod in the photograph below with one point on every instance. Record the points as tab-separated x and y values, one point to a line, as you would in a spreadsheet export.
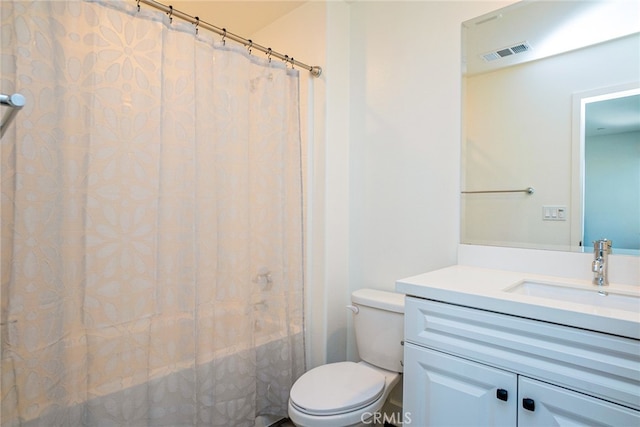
152	265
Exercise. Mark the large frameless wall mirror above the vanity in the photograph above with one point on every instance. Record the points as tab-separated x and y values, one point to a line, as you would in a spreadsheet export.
530	73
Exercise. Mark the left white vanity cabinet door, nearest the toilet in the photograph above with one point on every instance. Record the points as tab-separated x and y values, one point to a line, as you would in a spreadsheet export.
444	390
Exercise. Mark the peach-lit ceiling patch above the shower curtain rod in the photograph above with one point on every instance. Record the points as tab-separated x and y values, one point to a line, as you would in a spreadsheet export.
242	18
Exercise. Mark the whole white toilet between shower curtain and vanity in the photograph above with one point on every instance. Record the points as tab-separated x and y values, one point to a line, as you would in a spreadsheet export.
347	393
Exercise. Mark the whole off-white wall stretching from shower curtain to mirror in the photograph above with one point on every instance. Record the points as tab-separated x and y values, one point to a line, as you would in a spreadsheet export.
385	167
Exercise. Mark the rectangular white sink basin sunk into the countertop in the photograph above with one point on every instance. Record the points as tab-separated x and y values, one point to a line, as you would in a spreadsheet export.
579	295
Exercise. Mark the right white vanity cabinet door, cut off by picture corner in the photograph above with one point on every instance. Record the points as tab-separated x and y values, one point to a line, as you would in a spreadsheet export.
542	404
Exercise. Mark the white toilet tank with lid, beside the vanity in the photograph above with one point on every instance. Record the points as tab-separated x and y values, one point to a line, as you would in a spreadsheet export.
379	327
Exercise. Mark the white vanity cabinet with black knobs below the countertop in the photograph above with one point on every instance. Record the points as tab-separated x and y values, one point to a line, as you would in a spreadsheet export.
469	367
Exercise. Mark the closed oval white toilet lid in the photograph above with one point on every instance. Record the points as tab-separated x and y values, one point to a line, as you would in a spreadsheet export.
337	388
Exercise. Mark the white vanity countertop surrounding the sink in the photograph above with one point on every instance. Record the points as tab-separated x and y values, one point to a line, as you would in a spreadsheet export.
484	289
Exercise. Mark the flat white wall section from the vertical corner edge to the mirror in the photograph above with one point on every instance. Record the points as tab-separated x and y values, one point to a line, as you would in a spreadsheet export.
404	164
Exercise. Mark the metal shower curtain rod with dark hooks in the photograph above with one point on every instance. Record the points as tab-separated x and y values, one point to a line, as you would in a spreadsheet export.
199	23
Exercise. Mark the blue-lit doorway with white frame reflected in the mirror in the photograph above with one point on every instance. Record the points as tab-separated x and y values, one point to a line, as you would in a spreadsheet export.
610	134
